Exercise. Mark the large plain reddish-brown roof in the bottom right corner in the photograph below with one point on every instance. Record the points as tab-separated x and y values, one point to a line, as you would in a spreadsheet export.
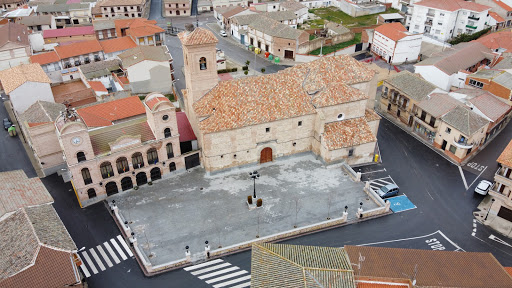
434	268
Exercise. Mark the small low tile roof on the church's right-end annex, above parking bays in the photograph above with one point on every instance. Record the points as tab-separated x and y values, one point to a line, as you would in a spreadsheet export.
347	133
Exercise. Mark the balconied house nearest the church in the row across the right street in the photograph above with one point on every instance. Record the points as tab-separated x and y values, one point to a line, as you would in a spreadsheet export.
401	93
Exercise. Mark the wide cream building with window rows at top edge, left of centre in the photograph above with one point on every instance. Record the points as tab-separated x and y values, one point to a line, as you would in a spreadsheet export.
122	8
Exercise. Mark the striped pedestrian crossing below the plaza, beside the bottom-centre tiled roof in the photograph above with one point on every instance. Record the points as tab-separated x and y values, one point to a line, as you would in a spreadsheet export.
219	274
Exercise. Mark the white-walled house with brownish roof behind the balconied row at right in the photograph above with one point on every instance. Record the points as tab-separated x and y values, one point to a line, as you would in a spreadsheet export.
449	68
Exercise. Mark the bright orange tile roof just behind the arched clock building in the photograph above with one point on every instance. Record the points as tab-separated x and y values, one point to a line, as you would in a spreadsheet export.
104	114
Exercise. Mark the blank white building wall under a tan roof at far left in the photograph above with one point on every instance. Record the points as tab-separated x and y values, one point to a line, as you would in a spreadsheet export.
28	93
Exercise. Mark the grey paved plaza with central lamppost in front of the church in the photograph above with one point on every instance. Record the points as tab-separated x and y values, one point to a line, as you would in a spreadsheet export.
193	207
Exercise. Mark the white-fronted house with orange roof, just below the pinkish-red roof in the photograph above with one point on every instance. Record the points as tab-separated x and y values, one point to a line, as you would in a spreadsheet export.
79	53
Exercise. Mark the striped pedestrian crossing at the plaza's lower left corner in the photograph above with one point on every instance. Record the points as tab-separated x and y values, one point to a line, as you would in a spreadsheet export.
104	255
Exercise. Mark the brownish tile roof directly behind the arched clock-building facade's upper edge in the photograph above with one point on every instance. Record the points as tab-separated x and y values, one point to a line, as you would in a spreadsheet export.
102	138
